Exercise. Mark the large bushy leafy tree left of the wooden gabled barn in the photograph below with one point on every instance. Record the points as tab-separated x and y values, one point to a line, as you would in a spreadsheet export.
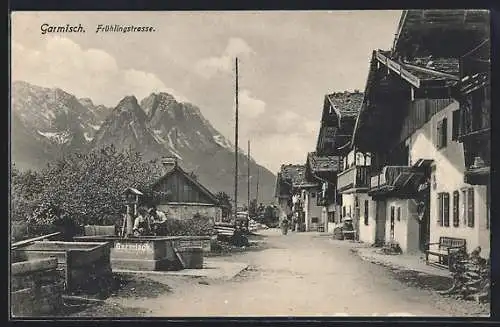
87	188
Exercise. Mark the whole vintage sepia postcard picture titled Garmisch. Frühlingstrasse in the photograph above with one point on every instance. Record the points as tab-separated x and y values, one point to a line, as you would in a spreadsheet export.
250	163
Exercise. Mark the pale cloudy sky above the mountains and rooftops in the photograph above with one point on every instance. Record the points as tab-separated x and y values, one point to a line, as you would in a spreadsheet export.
288	61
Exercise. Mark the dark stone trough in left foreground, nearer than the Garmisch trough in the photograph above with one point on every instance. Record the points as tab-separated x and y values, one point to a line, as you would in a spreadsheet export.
83	266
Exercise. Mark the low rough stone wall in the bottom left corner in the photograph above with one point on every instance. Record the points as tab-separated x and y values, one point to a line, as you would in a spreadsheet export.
36	288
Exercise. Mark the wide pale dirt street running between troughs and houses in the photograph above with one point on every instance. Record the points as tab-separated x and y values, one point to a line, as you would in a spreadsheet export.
299	274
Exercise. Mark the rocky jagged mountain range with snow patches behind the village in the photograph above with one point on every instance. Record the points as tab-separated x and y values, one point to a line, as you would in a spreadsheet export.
47	123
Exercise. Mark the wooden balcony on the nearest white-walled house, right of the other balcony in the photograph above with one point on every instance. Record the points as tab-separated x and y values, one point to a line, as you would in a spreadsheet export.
397	181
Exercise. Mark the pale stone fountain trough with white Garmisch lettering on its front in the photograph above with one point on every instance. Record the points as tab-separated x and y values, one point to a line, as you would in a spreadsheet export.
153	253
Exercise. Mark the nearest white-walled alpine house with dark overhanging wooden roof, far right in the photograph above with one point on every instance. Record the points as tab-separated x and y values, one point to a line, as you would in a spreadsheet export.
425	122
